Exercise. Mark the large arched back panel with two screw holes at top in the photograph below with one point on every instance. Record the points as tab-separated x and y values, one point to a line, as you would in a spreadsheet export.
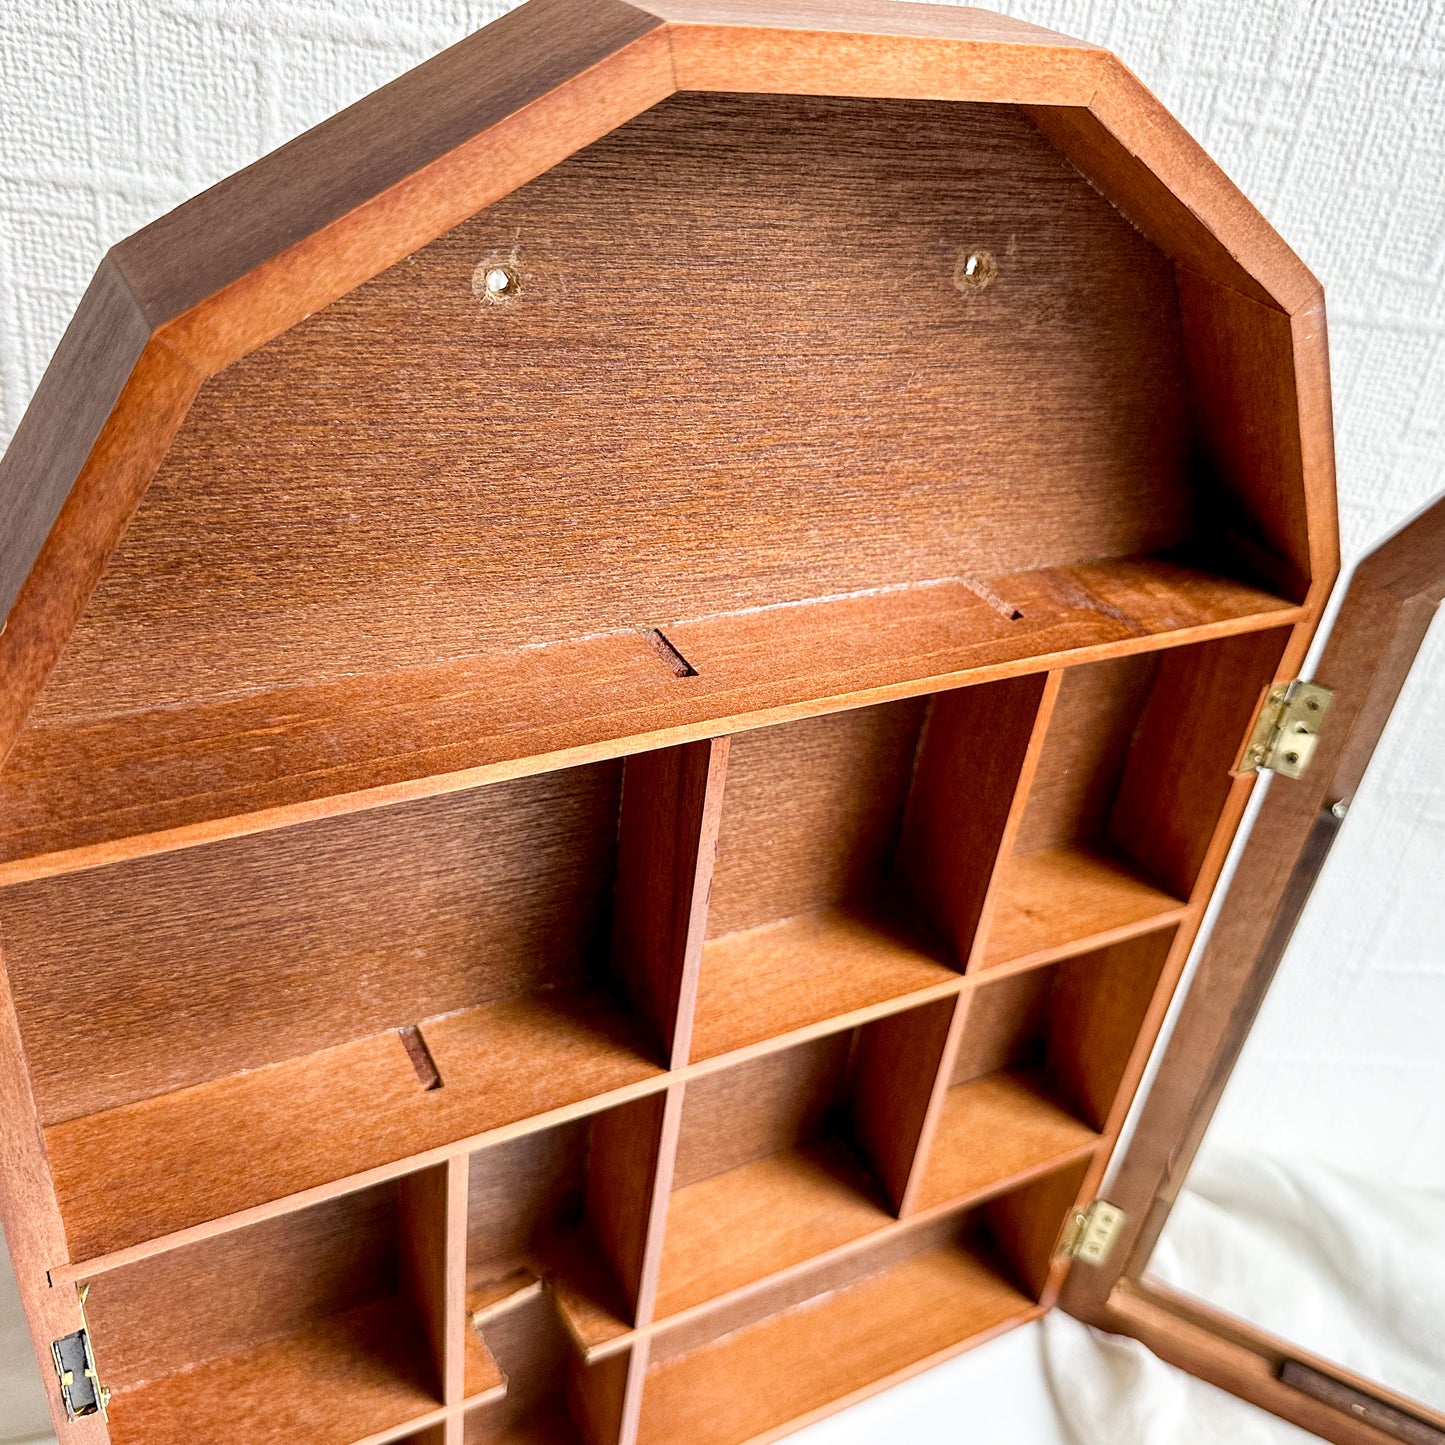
762	385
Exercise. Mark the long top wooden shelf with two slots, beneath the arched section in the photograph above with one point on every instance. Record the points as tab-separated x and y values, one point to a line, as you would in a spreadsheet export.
87	791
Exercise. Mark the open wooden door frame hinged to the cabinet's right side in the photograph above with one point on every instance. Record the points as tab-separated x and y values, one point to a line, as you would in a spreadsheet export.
1381	626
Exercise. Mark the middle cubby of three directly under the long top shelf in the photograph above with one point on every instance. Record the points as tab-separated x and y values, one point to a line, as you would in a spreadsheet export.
849	876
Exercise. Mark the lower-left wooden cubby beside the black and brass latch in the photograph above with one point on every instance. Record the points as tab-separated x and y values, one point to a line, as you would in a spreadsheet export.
322	1326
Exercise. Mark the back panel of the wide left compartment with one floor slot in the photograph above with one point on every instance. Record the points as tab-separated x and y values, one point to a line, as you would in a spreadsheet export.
170	972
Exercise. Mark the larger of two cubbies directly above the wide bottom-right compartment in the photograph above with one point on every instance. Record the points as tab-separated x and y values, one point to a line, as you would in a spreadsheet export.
795	1155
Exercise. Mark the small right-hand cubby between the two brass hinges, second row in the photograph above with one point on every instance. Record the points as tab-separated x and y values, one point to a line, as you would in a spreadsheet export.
1041	1060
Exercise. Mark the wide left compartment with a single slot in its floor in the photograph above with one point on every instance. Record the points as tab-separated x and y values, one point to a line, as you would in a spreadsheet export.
375	986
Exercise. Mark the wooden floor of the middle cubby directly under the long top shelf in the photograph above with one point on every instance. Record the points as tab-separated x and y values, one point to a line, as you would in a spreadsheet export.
780	979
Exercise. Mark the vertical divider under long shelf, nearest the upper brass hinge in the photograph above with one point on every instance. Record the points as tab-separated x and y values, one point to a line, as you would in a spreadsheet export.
972	775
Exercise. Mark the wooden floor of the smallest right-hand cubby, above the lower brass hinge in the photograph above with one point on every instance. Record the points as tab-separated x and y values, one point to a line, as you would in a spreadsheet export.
995	1132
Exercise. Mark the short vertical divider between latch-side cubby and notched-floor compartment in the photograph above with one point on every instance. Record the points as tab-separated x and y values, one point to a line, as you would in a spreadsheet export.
433	1223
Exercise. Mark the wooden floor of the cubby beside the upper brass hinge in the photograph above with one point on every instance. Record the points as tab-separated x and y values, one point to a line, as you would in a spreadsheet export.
1070	900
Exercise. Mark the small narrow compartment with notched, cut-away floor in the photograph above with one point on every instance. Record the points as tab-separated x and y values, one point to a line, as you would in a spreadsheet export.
564	1213
